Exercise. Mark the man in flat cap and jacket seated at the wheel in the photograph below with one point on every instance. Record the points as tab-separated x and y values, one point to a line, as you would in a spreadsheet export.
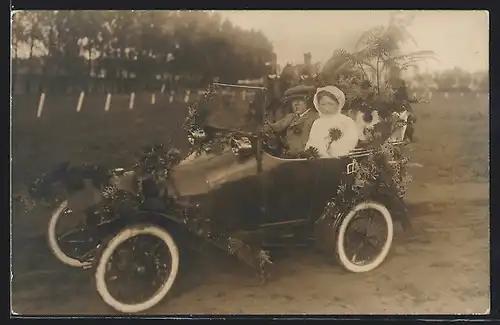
297	124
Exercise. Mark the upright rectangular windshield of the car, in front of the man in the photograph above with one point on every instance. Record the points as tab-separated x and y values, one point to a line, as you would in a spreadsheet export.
233	107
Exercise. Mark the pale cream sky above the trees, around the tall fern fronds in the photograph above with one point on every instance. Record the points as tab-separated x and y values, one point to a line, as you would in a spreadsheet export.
459	38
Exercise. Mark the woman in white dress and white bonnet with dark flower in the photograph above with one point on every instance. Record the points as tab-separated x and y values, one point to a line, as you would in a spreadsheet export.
332	134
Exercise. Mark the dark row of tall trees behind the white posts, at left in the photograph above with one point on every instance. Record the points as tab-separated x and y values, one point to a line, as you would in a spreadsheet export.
120	51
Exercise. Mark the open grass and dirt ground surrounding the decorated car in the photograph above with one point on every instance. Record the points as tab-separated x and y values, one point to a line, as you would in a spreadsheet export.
441	267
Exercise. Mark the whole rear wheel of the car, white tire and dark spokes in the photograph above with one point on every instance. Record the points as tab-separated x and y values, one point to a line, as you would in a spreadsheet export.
364	237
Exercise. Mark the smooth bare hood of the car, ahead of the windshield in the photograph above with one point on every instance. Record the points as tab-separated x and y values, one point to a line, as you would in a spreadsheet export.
199	175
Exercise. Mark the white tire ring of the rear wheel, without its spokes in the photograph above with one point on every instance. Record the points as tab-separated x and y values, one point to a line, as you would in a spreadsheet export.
340	247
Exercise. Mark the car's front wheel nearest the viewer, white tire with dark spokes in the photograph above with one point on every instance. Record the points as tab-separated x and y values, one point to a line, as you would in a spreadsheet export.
137	268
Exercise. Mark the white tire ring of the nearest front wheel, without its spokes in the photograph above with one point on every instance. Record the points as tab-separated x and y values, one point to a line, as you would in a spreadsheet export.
122	236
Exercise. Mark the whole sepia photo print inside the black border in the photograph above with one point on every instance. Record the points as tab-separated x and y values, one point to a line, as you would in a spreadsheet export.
249	162
